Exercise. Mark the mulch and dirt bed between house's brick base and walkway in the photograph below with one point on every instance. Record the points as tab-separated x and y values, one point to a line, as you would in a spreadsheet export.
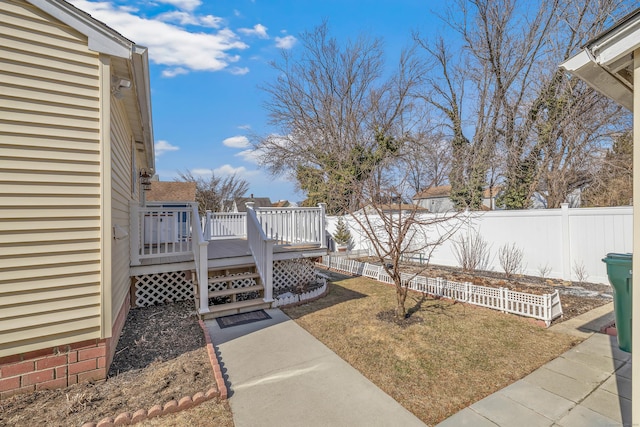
161	356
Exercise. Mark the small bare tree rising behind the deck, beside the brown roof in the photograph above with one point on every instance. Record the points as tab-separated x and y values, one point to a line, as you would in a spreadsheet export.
212	191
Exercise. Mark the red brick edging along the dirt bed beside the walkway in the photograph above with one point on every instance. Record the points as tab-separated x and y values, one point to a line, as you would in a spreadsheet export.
173	406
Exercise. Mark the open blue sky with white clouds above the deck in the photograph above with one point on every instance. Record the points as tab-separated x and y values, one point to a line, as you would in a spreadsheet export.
208	59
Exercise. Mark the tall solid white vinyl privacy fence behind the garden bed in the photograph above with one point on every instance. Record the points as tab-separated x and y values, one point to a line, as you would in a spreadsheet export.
563	242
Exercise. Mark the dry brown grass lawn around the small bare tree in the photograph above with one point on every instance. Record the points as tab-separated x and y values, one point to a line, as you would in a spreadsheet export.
457	355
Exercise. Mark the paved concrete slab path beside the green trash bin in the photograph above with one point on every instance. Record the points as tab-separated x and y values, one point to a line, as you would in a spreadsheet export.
589	385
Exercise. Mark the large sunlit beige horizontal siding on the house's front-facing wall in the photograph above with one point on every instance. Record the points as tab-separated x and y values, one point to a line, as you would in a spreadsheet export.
49	182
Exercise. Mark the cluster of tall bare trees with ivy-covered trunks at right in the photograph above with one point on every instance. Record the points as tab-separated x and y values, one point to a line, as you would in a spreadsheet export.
514	117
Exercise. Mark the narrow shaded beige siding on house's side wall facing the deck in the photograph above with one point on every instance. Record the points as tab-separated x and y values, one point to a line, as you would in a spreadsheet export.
121	141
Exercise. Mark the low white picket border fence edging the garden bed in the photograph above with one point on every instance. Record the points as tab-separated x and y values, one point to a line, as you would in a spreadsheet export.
543	307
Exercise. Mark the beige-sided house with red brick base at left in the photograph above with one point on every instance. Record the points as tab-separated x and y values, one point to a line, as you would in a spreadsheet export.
76	132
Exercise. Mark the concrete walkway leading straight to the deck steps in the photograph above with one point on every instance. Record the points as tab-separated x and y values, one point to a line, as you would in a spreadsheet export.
280	375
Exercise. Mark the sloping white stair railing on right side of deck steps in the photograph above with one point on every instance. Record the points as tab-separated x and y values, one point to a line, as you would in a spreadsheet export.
262	250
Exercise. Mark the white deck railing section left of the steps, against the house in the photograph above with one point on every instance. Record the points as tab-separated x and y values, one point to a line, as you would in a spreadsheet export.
160	231
